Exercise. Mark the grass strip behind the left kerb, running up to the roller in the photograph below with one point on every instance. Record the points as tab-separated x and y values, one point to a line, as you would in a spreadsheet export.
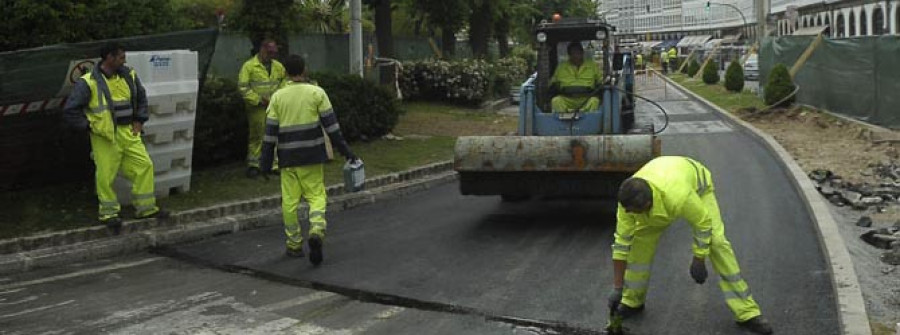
434	126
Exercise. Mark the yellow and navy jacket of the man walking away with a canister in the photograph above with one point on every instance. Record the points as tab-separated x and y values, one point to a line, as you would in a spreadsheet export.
295	119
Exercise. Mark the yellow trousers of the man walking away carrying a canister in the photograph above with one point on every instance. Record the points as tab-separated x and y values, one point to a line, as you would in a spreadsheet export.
303	182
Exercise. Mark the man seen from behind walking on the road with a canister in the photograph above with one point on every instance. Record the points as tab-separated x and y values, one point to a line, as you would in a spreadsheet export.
295	118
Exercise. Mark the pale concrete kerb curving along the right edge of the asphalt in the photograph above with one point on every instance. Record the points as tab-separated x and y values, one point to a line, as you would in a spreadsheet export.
851	306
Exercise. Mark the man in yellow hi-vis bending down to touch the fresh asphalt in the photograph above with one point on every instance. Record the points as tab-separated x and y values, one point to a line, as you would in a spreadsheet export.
665	189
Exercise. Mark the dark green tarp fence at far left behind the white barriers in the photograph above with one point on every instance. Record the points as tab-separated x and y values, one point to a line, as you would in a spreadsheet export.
35	148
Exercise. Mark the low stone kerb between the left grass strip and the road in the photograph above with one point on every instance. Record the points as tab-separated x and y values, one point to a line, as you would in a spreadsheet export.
92	243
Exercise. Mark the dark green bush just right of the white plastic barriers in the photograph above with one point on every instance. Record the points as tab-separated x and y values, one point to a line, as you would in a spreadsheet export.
220	131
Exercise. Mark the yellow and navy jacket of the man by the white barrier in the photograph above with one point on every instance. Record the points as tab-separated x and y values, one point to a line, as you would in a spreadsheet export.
101	103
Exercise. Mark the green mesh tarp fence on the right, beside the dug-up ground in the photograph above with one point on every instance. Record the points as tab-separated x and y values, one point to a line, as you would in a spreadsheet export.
855	77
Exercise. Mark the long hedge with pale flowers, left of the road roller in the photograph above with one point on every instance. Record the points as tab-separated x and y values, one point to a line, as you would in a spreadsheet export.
465	82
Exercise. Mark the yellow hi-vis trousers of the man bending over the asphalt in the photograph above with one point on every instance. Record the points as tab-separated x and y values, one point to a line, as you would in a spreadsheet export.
643	248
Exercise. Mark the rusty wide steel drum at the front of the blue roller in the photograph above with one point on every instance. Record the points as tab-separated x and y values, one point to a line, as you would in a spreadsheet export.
566	166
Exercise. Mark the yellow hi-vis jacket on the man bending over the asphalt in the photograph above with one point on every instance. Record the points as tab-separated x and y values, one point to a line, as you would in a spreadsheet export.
677	184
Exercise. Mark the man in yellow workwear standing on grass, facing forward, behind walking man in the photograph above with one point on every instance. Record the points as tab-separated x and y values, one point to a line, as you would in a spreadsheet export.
260	77
